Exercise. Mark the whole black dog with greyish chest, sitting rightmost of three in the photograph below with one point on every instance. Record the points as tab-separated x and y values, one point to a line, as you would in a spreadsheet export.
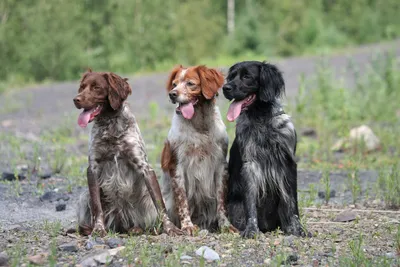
262	188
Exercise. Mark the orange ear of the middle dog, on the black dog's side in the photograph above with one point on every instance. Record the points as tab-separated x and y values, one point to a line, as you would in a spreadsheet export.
211	80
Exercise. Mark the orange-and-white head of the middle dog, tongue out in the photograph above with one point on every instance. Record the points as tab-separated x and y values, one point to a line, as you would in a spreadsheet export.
188	86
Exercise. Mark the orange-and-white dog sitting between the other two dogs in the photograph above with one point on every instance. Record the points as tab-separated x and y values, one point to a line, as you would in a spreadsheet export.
194	156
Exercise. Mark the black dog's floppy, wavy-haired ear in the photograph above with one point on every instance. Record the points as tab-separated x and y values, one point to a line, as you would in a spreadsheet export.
272	84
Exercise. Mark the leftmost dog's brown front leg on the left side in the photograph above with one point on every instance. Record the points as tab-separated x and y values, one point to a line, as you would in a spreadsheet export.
95	203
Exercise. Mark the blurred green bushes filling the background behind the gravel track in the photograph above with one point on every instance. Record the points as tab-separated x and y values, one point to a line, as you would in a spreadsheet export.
58	39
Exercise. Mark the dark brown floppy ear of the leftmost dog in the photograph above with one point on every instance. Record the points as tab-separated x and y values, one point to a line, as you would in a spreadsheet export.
119	89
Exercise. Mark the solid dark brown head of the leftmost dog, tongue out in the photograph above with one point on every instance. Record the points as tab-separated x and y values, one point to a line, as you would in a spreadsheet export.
100	92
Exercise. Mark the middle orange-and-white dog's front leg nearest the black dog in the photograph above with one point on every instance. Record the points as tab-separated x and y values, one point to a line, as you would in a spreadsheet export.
223	221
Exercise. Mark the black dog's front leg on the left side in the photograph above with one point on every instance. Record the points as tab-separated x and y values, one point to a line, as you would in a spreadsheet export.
251	173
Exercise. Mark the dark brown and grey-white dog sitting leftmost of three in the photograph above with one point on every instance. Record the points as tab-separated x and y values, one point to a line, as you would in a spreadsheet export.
124	194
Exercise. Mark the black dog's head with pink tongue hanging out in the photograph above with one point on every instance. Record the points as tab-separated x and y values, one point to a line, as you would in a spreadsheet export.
252	82
